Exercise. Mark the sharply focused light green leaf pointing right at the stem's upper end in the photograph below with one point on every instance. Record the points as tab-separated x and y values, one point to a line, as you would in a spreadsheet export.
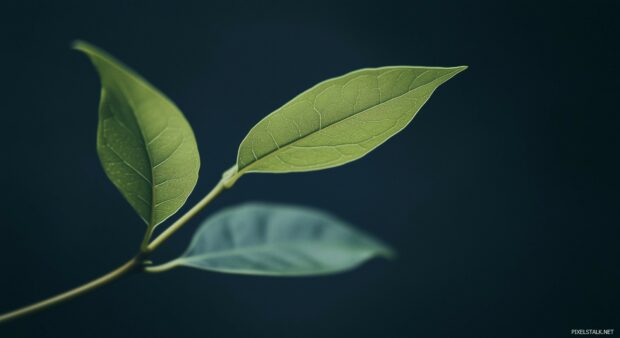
339	120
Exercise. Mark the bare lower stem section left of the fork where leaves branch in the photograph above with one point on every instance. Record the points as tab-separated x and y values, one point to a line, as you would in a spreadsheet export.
105	279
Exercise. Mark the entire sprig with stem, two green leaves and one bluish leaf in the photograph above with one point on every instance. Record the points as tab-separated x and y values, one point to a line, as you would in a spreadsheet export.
148	150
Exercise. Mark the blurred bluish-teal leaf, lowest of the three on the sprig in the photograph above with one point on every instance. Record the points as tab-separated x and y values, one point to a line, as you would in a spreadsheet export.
277	240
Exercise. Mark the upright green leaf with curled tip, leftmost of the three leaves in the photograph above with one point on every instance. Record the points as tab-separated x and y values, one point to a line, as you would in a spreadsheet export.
145	144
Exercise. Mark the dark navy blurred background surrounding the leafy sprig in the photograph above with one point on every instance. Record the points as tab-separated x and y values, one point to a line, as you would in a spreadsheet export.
501	197
